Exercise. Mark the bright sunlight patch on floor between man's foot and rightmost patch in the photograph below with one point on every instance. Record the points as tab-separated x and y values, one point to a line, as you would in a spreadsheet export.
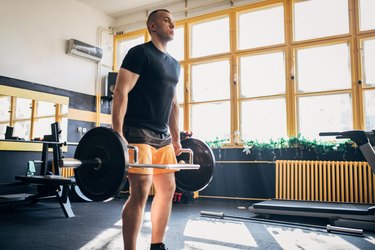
226	232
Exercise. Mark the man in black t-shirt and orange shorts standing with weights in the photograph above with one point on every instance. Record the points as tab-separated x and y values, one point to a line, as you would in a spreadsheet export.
145	111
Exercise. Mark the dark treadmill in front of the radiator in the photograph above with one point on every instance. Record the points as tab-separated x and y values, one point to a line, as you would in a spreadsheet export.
355	215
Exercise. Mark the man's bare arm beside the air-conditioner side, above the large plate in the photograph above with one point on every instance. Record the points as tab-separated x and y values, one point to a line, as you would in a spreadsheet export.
125	82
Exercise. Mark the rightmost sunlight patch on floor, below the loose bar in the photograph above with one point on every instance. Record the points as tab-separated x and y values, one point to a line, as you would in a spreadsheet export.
293	238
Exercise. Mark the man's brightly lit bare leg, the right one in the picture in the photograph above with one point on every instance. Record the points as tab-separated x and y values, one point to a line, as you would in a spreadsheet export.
165	186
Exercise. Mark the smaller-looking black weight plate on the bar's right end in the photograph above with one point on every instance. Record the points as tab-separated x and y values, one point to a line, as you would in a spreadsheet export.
195	180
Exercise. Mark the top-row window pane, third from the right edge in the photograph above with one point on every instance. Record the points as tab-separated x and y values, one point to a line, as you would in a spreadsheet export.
252	35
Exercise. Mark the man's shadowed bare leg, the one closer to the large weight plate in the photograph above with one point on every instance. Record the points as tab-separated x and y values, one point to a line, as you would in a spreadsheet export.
132	213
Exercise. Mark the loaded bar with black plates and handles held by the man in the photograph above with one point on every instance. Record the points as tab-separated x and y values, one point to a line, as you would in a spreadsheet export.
101	164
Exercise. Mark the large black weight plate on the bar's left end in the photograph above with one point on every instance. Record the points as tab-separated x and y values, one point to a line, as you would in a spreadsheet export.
99	184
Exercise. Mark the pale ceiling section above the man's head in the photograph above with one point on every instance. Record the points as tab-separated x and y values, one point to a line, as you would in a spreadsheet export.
117	8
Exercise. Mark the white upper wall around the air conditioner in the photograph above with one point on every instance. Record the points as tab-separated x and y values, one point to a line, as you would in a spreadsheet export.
33	42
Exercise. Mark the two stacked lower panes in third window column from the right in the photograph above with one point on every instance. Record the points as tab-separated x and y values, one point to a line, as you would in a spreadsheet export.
257	117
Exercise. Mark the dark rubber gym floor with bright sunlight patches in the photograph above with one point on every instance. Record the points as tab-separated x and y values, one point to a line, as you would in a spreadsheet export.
97	225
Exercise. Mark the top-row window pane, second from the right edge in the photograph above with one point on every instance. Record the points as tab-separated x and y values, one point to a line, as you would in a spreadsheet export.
320	18
